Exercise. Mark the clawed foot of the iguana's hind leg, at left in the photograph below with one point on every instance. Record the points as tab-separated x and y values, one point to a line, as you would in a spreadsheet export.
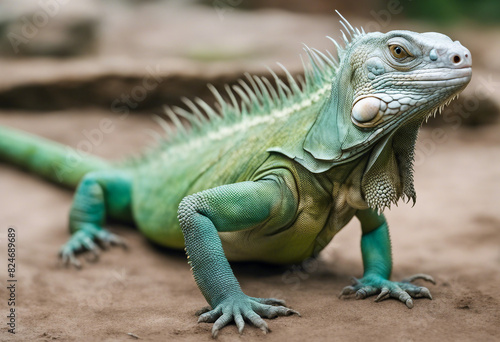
91	239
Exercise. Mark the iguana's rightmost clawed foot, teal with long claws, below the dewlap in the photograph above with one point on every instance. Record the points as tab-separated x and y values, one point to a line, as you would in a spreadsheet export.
404	290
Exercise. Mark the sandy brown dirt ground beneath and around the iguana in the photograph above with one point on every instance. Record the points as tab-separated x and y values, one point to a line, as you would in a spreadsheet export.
452	233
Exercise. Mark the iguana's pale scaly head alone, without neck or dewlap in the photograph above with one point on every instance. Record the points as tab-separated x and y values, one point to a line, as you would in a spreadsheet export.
403	76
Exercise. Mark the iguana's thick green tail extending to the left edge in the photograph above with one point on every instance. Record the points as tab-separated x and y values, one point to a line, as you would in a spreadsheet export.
55	162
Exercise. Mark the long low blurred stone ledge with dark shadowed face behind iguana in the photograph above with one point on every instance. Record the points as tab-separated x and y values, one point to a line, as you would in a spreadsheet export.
122	89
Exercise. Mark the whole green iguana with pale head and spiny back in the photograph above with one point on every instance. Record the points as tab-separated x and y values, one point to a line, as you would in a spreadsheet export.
275	175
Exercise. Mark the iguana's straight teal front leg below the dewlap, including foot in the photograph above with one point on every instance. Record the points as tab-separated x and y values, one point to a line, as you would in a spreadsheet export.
377	263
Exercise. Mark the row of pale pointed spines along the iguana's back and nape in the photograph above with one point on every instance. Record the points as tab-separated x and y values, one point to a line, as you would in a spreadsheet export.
257	96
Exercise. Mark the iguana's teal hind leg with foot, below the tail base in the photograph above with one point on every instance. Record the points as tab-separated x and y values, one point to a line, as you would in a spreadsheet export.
100	196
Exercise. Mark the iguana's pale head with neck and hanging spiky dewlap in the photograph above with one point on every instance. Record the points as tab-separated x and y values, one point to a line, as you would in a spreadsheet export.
387	84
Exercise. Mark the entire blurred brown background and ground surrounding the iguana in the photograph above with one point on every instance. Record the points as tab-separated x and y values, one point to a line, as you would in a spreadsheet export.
69	68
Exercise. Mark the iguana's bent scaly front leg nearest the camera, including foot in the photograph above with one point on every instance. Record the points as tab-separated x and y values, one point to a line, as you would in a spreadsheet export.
223	209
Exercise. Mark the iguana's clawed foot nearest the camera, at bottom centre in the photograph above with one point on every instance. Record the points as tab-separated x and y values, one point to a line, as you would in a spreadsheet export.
239	308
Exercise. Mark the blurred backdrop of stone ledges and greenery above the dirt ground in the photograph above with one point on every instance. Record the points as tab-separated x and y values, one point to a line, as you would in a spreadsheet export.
63	55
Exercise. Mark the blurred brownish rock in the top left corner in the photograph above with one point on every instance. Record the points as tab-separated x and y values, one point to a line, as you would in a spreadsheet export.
60	28
